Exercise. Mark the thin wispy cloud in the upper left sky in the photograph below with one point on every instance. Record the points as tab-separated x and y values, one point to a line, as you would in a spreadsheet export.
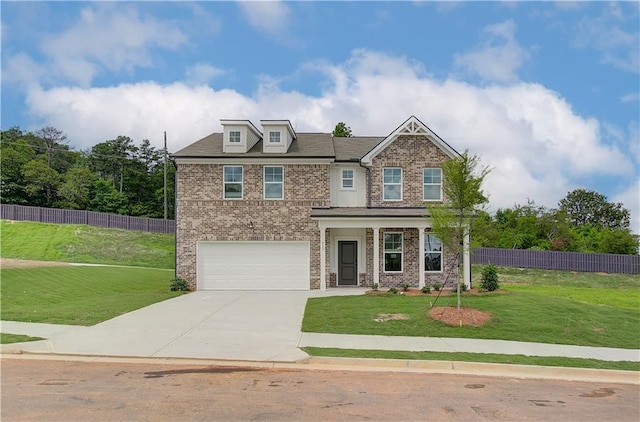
107	38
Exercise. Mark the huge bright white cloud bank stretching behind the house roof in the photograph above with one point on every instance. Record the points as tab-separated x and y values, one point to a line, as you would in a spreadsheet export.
538	146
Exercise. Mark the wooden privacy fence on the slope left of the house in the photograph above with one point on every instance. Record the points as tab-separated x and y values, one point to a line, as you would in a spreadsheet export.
92	218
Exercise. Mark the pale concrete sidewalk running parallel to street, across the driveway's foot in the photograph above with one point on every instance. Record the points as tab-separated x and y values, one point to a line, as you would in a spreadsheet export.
65	339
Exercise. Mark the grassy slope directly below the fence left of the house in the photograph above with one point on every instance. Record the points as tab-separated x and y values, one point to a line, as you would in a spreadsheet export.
86	244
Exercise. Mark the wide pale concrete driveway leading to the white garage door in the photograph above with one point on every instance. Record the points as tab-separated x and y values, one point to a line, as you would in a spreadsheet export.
235	325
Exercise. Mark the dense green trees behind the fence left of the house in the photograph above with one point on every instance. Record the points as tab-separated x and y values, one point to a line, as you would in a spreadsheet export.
116	176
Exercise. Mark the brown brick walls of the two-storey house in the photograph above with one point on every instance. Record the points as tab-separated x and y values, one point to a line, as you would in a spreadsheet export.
204	215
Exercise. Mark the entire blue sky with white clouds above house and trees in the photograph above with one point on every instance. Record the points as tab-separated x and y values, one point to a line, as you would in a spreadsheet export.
546	93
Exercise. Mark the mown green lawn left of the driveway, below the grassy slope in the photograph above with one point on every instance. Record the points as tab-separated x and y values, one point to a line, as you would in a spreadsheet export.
80	295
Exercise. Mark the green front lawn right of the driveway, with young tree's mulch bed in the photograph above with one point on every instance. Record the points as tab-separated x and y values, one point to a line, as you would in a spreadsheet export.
518	314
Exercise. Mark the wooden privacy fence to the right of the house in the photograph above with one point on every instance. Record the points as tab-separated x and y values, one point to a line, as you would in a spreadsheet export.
551	260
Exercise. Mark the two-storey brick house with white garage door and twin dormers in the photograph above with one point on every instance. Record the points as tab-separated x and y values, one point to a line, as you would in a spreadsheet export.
270	208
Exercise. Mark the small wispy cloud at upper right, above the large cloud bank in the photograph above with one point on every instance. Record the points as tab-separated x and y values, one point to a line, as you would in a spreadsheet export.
498	58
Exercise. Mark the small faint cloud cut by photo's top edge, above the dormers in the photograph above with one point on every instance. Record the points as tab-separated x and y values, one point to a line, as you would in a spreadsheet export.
271	17
